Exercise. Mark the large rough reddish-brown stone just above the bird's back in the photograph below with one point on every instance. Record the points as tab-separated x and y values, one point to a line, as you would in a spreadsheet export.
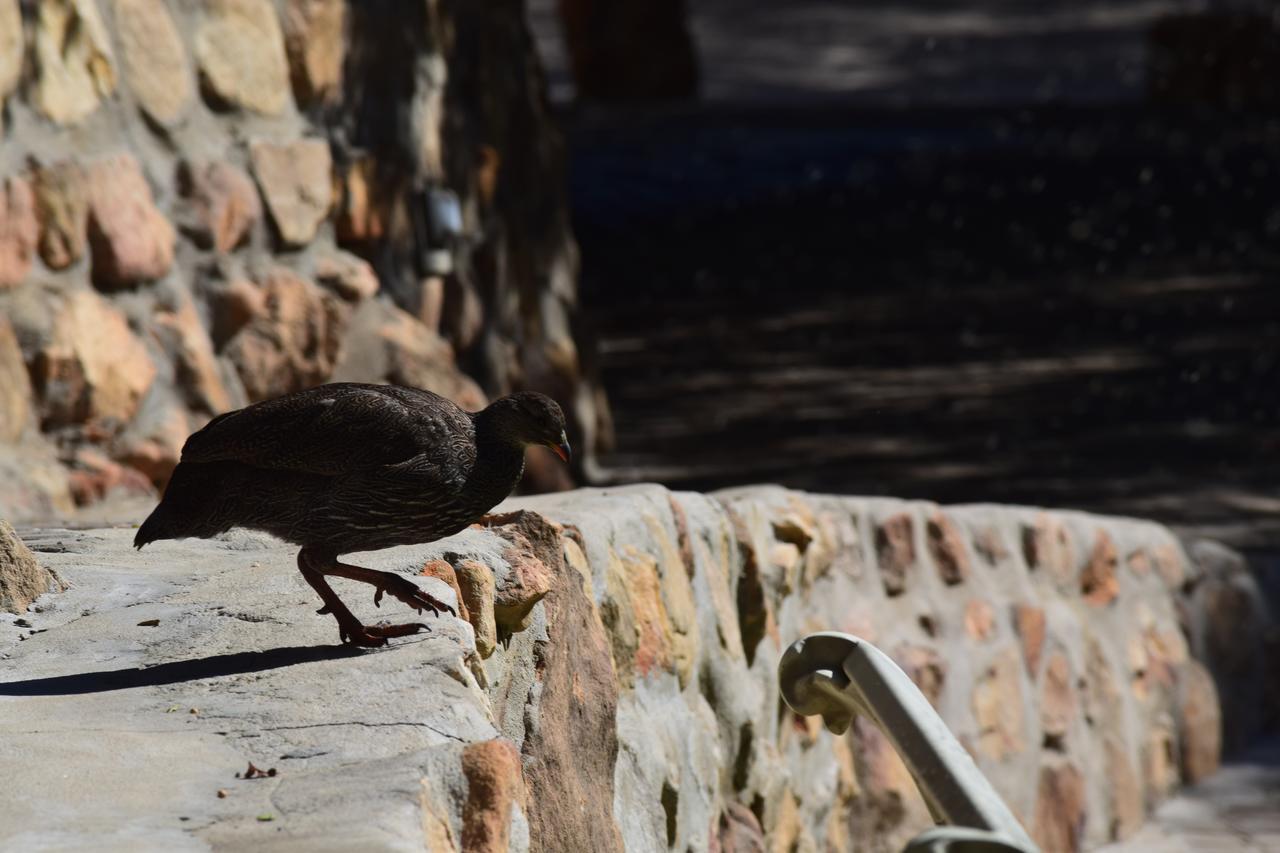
294	344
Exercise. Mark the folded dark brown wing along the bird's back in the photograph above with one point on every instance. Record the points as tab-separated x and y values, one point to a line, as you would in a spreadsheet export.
340	428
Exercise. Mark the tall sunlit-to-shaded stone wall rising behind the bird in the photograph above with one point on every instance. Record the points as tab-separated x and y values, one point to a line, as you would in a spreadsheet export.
207	204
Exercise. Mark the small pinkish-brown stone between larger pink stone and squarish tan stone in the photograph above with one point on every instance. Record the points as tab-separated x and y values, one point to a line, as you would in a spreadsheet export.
225	204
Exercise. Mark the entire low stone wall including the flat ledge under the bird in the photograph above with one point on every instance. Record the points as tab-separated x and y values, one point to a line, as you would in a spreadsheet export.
610	682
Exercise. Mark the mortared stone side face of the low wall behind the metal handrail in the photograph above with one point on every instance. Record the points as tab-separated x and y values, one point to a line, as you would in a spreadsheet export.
1055	645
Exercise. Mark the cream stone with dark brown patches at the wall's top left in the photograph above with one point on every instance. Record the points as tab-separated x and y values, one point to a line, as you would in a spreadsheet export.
75	65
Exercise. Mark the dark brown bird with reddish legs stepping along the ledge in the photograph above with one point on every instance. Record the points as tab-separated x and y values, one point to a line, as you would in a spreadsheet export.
353	467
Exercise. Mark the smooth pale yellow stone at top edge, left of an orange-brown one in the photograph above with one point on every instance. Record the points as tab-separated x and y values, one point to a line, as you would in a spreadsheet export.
241	54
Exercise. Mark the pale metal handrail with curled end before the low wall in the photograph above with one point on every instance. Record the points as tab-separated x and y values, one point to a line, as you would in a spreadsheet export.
839	676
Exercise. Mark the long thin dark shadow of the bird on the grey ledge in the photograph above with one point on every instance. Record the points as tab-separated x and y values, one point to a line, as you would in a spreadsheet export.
176	672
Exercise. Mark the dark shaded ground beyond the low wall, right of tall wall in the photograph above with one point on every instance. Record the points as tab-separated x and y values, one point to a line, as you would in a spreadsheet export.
962	252
